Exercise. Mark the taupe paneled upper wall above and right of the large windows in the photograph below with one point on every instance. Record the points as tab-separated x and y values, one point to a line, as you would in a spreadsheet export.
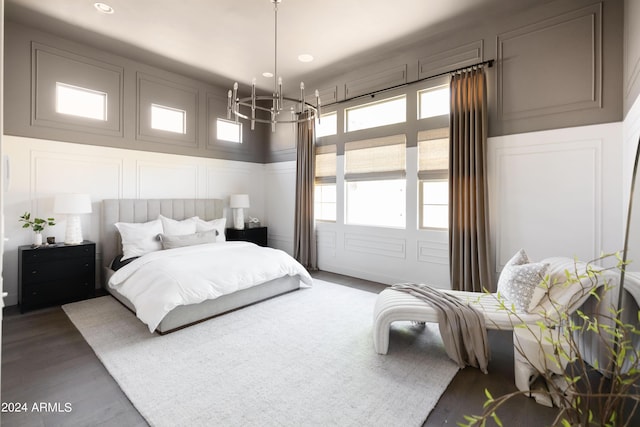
558	65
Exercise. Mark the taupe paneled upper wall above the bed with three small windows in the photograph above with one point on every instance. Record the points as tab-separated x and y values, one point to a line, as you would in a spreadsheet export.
34	59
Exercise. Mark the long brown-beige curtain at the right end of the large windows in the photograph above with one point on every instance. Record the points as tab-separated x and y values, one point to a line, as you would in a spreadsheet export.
468	211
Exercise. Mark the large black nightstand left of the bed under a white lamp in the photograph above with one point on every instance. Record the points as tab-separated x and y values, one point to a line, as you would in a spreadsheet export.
56	274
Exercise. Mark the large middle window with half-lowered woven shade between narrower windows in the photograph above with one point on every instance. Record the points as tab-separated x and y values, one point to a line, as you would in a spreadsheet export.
375	181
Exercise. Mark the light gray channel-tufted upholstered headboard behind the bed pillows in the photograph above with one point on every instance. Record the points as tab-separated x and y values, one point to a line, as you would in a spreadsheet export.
143	210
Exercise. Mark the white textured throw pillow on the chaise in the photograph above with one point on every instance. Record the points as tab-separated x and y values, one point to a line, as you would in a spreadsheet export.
521	282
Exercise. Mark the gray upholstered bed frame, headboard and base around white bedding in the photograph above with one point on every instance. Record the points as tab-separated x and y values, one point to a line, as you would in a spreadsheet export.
145	210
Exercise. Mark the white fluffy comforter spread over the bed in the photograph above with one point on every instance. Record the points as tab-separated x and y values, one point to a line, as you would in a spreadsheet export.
158	282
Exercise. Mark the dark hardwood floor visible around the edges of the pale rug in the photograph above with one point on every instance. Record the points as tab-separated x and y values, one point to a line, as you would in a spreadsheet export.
45	359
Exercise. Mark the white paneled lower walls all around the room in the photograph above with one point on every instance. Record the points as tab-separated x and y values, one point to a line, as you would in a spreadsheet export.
555	192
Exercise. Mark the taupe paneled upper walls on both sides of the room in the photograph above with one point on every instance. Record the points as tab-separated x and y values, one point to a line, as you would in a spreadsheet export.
558	65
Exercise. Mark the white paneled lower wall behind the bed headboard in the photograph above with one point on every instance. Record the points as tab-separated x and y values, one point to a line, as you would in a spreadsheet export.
40	169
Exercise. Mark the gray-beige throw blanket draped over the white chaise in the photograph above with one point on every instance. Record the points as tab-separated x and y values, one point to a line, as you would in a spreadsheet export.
462	327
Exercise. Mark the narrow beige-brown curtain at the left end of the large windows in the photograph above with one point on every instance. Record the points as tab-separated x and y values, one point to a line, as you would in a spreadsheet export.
304	237
